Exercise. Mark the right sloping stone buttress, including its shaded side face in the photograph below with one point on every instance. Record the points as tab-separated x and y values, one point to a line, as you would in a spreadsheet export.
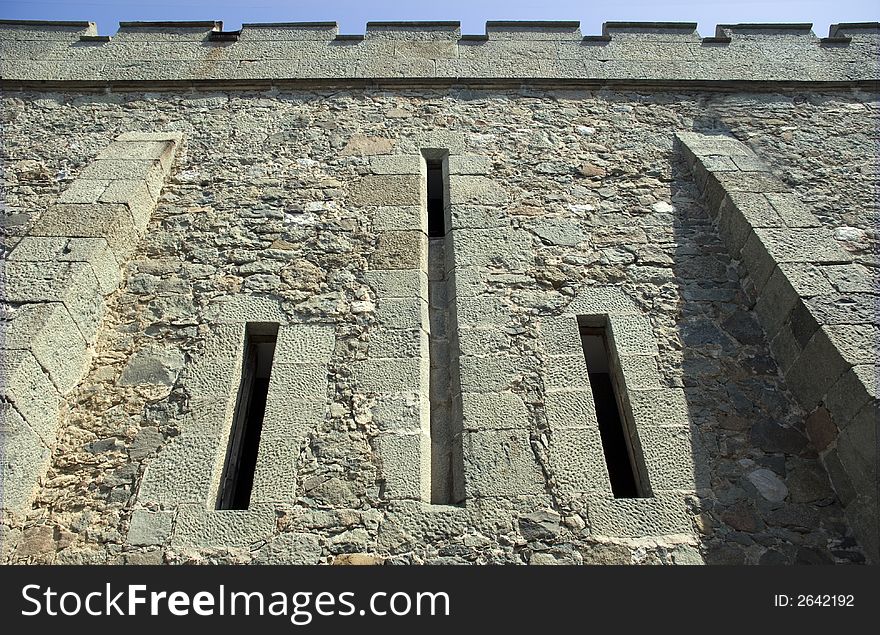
823	334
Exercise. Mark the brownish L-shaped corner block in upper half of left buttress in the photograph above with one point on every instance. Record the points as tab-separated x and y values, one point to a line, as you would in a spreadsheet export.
113	223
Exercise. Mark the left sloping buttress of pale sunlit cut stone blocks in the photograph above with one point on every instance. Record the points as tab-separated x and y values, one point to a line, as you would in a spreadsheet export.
54	283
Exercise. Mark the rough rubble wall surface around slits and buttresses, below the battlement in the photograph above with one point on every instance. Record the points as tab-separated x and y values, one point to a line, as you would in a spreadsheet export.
286	201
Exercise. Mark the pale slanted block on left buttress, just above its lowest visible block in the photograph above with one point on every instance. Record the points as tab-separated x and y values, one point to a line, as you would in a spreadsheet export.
30	390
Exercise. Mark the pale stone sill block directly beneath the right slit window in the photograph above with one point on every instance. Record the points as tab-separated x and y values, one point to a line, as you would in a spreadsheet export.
663	514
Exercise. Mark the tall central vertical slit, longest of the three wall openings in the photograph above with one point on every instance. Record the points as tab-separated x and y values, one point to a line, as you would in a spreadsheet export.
445	425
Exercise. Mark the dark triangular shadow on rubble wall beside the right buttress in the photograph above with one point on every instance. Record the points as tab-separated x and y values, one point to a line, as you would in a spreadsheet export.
770	500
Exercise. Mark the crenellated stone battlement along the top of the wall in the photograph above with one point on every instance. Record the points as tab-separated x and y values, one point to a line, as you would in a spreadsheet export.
40	52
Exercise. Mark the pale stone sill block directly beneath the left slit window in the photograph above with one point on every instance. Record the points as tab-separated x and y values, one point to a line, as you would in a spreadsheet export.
197	527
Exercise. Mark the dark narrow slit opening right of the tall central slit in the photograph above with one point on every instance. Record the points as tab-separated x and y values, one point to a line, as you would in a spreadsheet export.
616	443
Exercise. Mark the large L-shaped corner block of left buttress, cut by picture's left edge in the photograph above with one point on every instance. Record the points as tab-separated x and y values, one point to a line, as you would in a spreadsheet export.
72	283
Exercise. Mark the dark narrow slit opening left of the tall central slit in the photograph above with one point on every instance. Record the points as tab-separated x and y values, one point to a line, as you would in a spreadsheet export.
247	424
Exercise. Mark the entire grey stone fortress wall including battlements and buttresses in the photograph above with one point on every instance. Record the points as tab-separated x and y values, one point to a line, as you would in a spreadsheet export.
460	250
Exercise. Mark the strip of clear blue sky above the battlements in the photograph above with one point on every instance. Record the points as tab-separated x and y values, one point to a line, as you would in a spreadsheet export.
352	15
